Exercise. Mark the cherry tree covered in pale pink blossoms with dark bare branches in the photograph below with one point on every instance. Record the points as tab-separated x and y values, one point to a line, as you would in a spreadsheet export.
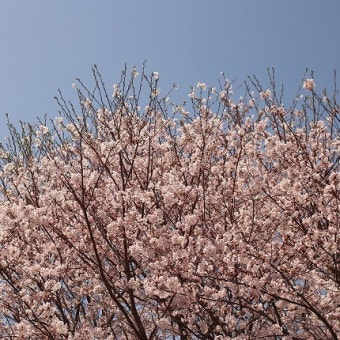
130	217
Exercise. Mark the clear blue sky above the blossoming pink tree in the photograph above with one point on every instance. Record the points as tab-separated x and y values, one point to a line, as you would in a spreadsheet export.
46	44
